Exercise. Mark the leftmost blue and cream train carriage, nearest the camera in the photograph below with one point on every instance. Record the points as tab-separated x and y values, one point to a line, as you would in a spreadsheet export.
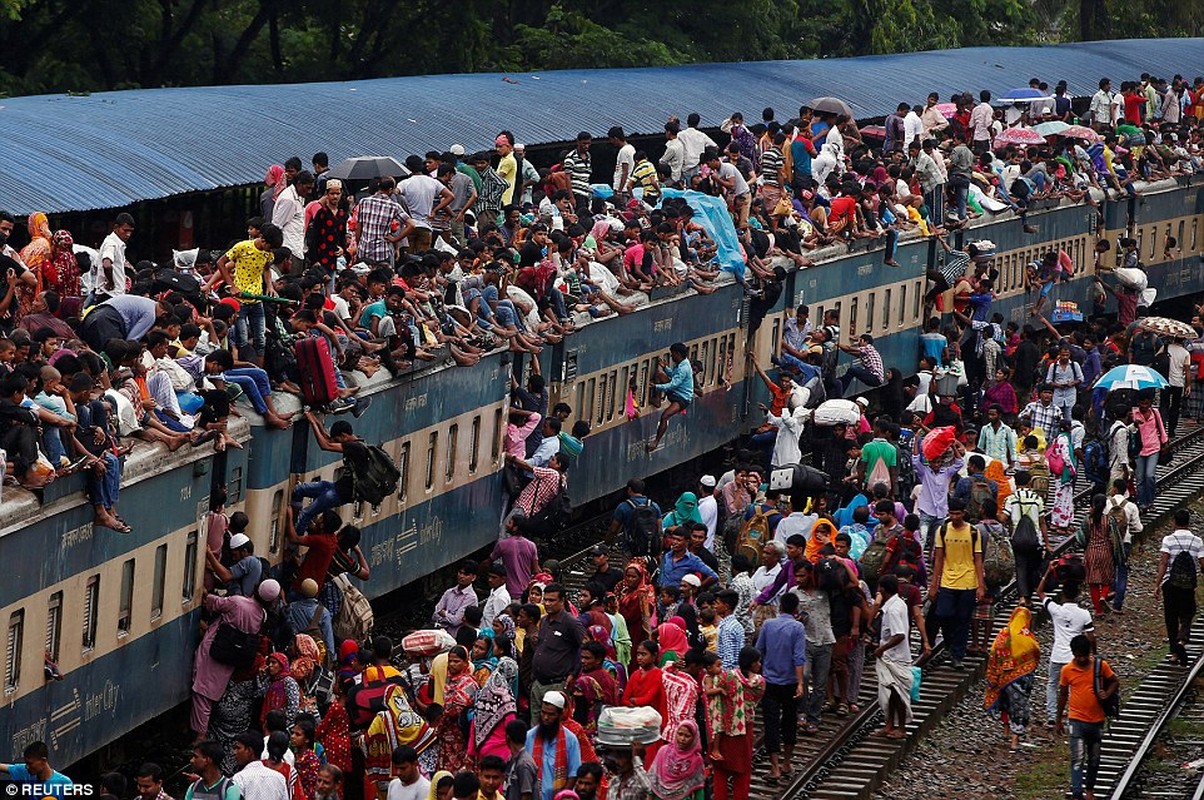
117	614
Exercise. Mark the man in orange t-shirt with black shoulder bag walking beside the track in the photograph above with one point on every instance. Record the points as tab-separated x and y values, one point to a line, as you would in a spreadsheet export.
1077	691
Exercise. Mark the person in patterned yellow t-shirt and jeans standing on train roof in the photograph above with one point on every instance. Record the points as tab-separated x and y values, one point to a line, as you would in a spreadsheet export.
247	268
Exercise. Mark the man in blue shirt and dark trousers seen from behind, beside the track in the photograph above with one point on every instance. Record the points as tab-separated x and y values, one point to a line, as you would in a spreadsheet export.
783	646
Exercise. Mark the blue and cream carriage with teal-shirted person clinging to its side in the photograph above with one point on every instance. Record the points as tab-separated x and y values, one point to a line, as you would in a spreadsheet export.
594	368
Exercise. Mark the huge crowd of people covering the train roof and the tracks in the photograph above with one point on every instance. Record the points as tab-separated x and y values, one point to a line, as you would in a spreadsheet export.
736	602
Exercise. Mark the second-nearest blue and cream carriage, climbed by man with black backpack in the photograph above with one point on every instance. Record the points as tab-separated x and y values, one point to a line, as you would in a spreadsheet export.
444	428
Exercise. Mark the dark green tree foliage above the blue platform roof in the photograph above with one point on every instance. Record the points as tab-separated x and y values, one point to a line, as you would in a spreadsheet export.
95	45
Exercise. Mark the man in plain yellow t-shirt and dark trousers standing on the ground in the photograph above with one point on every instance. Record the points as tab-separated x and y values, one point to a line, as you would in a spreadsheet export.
957	583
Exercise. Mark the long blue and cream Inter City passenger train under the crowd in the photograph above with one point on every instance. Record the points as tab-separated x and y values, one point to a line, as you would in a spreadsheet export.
119	614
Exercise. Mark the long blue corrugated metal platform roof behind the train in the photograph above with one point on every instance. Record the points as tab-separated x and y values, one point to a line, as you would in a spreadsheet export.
109	150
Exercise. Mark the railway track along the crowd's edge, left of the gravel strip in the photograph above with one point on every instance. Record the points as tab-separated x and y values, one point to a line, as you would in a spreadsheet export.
845	761
